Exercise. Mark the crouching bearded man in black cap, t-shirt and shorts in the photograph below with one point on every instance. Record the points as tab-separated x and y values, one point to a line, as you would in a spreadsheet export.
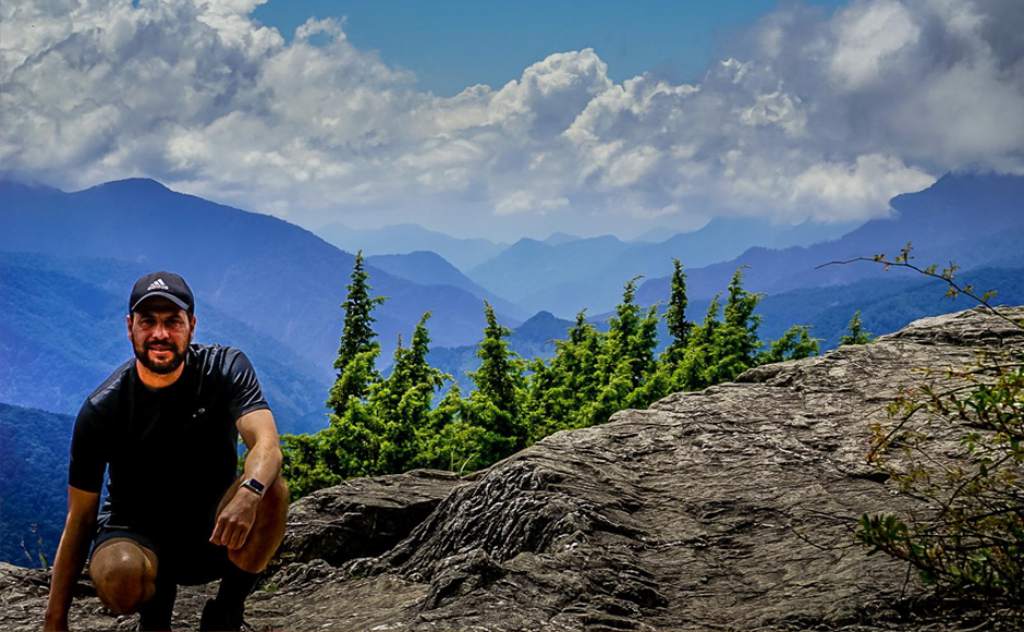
167	426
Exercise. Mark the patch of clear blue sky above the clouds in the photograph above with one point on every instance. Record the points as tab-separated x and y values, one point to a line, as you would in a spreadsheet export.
453	45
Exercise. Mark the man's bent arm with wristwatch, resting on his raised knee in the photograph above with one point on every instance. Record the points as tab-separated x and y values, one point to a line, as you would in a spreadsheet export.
264	464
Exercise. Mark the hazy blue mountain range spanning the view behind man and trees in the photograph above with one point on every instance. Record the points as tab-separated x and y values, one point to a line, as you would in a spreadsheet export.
67	261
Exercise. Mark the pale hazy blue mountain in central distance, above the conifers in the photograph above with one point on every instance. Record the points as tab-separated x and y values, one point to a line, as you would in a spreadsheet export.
565	275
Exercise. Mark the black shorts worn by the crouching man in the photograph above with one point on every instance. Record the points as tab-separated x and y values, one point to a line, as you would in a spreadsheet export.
183	561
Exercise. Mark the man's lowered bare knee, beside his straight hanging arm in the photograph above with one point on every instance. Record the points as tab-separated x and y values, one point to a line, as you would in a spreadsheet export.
124	575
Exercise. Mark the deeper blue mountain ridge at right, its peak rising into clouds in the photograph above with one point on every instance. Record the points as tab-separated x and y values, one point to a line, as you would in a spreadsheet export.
975	221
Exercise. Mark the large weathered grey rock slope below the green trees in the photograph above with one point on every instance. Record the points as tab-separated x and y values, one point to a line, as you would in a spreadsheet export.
731	509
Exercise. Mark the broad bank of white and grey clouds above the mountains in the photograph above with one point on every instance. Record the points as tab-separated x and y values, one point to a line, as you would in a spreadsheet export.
815	116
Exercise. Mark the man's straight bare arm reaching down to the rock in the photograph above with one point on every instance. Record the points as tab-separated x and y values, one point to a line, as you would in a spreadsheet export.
78	532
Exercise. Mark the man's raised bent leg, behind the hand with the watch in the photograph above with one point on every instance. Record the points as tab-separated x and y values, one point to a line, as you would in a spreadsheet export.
245	564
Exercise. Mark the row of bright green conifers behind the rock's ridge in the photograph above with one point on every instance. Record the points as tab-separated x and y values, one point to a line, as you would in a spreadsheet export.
390	425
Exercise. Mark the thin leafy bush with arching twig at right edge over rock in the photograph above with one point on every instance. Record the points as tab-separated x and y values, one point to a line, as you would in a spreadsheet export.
970	539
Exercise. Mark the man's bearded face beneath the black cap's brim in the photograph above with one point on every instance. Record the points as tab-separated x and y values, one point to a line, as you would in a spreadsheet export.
160	333
